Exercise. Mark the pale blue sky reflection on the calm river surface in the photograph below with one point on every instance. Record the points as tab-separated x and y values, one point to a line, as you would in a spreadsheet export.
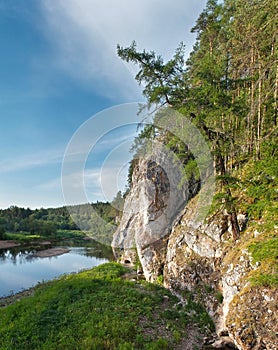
18	272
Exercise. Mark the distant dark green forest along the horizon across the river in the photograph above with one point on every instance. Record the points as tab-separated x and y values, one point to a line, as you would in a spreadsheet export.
96	219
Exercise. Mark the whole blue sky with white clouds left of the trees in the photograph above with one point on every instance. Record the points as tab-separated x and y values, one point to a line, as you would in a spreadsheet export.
61	83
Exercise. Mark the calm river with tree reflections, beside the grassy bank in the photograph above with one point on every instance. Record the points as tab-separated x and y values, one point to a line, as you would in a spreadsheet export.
20	270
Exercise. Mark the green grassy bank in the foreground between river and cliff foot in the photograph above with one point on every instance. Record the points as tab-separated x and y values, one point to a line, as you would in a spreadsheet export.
99	309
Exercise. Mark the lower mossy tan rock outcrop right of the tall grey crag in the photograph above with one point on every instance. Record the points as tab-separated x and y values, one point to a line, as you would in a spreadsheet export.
216	270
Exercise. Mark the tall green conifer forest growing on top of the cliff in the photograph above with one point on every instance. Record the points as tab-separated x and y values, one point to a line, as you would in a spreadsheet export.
228	89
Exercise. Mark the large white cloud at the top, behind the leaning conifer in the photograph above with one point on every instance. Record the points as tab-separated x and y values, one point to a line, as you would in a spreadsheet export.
85	34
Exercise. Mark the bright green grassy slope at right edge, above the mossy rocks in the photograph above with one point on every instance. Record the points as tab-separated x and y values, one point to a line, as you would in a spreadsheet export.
258	196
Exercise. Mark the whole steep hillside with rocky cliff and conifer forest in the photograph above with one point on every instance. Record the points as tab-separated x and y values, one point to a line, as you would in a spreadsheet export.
201	213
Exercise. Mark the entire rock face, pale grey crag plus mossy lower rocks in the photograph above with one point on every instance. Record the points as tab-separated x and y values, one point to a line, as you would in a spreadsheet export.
196	258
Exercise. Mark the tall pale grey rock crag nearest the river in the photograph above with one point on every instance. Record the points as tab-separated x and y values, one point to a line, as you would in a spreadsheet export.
150	211
